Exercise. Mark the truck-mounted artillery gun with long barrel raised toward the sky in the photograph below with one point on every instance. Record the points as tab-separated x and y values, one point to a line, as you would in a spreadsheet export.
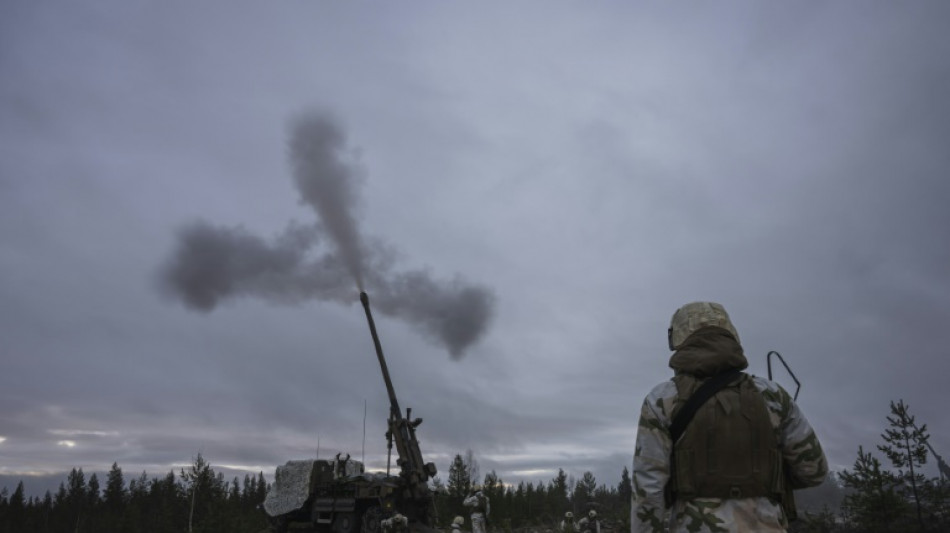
338	496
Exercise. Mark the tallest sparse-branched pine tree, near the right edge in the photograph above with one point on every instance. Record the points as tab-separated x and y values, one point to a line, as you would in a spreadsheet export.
907	450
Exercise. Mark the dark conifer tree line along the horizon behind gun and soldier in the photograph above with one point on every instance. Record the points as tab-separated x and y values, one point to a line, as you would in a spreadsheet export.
868	498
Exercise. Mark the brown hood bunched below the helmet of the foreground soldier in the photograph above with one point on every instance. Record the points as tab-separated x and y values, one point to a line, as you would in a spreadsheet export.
707	352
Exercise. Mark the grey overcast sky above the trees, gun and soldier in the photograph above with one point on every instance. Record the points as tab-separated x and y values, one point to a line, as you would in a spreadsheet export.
581	168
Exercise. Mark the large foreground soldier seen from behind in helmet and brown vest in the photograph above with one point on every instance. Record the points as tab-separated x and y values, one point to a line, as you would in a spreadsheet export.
734	464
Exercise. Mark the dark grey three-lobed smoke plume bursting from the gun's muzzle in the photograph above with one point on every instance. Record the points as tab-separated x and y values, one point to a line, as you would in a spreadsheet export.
329	260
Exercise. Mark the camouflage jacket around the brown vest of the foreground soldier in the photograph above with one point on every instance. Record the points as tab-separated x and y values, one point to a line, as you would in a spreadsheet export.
804	459
